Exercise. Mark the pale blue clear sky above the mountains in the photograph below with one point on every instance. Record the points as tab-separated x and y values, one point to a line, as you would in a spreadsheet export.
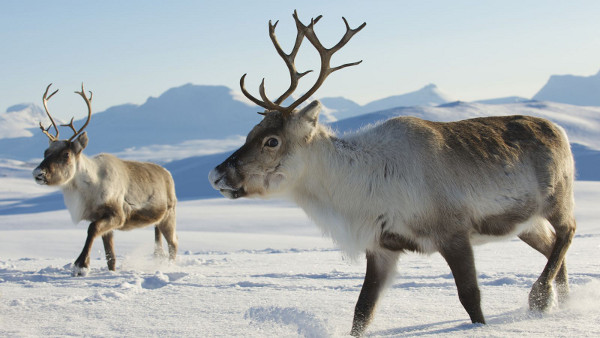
127	51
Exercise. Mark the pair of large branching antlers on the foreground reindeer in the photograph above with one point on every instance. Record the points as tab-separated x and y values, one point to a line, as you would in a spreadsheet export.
325	54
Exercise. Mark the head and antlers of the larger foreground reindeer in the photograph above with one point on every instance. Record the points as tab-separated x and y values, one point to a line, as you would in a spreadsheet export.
270	160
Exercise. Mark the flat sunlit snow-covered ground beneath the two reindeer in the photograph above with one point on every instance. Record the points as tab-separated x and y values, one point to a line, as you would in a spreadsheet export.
258	268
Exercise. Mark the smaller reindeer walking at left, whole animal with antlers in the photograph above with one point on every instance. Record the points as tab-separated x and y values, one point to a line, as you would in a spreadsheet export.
111	193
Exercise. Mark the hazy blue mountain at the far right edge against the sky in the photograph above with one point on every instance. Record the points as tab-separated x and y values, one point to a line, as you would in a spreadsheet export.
571	89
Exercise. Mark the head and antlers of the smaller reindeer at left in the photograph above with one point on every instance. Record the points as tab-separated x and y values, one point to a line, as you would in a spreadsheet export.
60	159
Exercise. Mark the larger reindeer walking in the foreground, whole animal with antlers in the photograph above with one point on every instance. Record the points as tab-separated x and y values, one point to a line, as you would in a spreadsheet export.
410	185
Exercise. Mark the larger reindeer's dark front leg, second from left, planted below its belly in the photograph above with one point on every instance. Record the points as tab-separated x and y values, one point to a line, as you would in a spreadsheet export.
458	253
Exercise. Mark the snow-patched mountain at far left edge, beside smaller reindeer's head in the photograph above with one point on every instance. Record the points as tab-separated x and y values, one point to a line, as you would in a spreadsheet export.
19	119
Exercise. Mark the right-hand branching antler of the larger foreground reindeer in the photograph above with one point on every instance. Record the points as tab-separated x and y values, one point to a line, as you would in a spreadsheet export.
325	54
